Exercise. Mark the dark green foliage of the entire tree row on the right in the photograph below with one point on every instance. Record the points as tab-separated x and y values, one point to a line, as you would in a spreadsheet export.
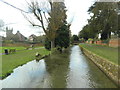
104	21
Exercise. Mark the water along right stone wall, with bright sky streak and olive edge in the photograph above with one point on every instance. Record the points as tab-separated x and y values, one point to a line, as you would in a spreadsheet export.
84	73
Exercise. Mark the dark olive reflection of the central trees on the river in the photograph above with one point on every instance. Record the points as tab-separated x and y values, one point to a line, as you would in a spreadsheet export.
58	68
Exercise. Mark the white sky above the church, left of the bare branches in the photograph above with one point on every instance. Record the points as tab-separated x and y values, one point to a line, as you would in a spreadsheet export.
12	15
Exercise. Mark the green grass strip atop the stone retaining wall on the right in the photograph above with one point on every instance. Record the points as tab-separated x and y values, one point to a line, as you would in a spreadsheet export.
104	51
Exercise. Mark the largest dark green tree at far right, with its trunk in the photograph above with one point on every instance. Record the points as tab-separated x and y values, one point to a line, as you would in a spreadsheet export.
105	17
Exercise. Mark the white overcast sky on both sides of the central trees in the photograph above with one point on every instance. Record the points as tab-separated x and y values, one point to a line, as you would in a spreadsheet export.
76	8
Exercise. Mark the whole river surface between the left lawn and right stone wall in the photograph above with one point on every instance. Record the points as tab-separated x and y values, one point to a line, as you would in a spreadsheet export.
71	69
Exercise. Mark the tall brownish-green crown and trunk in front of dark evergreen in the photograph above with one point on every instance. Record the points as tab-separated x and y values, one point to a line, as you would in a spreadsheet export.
56	20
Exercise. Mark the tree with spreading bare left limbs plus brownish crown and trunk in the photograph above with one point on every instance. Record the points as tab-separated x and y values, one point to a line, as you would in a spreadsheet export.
53	15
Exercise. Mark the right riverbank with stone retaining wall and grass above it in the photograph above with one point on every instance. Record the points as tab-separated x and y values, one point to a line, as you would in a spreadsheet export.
108	66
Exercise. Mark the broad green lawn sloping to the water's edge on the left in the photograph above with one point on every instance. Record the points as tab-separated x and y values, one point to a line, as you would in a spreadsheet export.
11	61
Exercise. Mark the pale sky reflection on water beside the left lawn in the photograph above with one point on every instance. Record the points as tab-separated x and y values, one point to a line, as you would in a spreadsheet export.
28	75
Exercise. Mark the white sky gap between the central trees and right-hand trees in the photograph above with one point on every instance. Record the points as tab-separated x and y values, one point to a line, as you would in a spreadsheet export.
78	9
